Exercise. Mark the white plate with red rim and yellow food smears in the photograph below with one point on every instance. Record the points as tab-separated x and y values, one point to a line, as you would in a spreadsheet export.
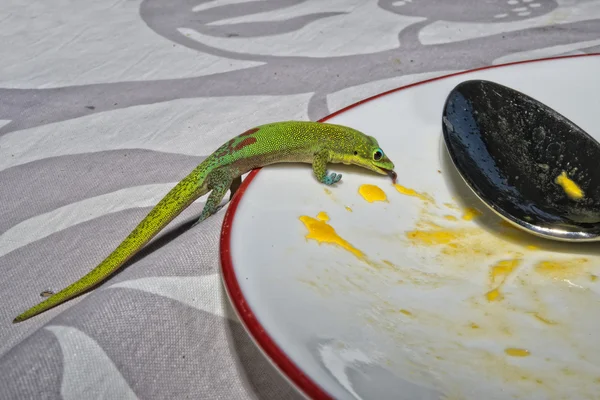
414	320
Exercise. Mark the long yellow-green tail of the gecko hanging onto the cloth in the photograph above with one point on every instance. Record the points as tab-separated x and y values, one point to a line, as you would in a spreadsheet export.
170	206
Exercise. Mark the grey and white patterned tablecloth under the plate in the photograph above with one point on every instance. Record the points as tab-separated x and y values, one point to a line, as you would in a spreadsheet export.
105	105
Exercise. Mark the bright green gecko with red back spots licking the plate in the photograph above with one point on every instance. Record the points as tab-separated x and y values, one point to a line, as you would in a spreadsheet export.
291	141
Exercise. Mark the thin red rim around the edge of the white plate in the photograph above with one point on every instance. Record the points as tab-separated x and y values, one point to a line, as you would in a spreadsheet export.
275	354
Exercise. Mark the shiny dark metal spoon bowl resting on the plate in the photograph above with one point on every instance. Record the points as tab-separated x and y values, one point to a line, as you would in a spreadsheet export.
510	148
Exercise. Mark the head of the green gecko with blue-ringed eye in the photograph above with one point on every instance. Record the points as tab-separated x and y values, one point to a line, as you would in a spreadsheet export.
368	154
